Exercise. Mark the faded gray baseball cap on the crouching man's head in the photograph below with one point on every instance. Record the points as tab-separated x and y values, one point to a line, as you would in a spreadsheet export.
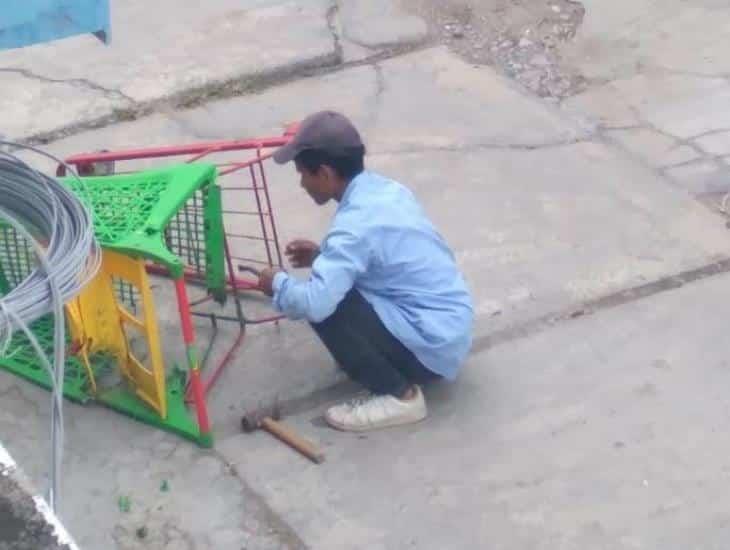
326	131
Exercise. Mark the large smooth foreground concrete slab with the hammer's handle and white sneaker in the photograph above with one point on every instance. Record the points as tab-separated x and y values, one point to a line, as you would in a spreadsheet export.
600	433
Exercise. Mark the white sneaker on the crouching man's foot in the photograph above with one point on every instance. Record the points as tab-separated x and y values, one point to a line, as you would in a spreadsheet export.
372	412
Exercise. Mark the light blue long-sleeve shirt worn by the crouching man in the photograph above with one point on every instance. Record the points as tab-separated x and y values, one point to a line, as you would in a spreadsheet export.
382	244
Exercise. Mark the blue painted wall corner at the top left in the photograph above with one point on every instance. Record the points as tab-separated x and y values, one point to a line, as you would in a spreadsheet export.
26	22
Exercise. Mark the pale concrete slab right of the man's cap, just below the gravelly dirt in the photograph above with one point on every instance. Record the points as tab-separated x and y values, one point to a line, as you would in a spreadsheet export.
459	104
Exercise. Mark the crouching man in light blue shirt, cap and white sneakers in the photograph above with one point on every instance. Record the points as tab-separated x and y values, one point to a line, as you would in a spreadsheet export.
384	295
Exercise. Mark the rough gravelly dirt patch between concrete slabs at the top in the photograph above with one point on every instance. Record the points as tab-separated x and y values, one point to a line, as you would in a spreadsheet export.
521	38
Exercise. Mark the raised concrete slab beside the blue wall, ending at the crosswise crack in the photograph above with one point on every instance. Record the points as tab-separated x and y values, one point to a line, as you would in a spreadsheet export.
158	51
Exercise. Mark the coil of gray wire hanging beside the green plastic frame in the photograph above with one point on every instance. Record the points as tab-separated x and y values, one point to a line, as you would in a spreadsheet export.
58	227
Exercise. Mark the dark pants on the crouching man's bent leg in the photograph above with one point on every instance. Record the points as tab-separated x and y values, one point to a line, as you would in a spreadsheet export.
367	351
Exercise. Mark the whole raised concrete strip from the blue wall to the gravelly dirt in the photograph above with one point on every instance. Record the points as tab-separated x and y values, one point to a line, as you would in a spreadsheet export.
176	54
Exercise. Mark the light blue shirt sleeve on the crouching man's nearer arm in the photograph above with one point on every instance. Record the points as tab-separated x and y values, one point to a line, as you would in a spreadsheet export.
344	256
